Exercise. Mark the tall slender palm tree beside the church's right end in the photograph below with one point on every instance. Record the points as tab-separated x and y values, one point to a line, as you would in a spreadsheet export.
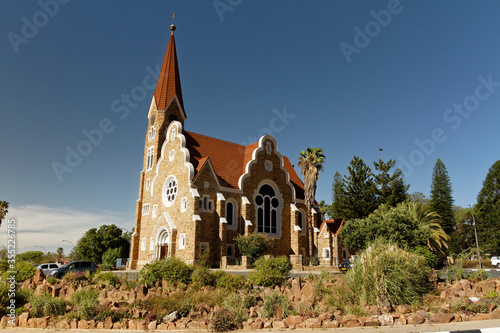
310	163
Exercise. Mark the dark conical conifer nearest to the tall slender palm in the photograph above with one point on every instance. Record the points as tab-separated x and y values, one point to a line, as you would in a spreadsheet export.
359	191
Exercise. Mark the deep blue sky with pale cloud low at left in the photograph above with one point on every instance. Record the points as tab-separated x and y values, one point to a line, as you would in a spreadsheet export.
420	79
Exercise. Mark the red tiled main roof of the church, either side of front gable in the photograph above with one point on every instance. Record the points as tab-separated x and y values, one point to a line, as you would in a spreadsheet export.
229	159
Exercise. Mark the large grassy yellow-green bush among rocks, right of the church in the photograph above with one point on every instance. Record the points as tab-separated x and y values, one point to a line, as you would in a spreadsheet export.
385	270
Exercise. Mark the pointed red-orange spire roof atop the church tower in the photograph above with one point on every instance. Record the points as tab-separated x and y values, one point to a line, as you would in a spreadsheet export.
169	81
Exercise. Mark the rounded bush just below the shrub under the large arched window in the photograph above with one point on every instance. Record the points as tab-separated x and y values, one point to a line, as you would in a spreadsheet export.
271	272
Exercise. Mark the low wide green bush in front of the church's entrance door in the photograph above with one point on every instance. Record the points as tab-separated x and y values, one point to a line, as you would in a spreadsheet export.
173	270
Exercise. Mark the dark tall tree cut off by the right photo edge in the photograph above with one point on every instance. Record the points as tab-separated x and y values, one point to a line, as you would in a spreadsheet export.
488	211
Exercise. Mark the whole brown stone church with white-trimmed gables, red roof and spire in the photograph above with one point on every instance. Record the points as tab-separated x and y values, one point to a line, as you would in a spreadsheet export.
198	193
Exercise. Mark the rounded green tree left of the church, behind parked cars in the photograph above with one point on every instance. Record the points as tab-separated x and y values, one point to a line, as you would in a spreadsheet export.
96	242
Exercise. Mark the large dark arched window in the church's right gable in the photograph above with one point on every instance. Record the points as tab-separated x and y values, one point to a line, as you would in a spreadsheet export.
267	210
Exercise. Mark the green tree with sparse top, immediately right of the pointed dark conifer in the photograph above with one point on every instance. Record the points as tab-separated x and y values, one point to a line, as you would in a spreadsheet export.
391	188
